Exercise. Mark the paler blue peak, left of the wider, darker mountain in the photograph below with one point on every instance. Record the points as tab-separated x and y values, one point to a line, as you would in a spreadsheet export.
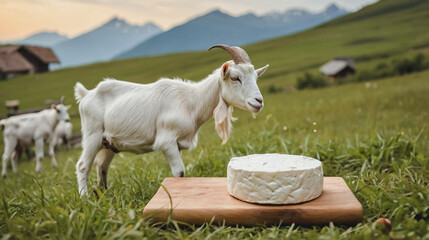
104	42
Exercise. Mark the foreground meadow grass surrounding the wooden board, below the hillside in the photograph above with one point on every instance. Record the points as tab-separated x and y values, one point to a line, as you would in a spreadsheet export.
380	150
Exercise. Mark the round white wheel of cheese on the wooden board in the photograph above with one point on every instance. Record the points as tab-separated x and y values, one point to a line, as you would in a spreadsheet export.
275	178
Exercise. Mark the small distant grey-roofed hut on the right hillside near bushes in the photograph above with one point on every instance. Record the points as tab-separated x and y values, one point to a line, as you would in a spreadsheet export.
339	67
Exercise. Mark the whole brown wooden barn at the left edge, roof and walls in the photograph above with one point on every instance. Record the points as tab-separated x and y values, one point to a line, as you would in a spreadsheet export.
20	59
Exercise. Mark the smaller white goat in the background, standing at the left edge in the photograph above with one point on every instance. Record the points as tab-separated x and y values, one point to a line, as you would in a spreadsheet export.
31	129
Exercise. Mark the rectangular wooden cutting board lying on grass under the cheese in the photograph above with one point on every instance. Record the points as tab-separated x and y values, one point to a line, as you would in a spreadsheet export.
199	200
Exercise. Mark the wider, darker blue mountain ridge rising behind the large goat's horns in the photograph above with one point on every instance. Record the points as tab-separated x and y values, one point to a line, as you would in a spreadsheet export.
218	27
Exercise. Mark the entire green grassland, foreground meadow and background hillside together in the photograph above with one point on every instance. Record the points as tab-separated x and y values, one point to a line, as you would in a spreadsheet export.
374	135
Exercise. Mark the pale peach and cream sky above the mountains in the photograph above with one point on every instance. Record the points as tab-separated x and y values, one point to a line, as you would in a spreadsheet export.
20	18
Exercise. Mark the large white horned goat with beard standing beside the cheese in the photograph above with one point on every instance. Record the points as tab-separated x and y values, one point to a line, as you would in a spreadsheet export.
162	116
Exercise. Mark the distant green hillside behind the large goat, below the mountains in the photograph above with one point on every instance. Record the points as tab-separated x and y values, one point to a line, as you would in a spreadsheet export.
369	38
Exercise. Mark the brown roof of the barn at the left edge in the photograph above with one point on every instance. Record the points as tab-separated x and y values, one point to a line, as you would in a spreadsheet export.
12	60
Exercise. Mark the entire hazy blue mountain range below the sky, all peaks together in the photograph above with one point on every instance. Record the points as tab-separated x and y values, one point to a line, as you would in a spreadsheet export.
117	39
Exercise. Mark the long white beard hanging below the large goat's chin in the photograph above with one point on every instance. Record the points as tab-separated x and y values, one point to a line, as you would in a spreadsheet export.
222	120
